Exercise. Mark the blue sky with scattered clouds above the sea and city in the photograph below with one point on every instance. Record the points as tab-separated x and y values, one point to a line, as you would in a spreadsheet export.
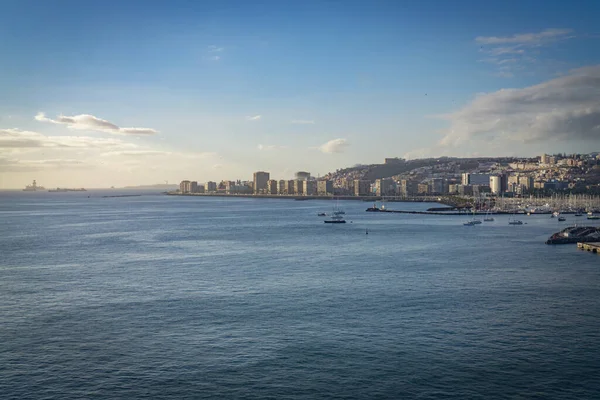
115	93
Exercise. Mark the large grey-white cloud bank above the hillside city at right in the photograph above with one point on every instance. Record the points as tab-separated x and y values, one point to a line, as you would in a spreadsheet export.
564	108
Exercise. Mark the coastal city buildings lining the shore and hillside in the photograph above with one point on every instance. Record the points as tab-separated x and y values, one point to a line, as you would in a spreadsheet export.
446	177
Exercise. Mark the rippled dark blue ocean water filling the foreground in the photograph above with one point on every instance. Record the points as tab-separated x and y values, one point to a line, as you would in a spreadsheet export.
163	297
